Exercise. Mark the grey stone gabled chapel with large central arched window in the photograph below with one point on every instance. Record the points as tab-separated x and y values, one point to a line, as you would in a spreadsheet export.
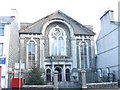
57	42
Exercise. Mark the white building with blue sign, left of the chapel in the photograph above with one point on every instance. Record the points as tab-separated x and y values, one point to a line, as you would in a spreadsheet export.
9	47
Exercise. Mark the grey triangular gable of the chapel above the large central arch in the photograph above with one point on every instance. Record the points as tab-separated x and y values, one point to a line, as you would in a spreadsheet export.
37	26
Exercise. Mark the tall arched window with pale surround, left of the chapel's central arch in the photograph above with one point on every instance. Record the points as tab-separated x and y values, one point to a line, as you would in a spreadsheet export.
31	54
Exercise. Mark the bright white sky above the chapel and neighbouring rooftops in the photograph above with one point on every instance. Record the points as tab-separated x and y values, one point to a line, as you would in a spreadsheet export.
87	12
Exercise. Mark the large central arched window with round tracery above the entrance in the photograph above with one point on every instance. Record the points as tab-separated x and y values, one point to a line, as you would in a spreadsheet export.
57	41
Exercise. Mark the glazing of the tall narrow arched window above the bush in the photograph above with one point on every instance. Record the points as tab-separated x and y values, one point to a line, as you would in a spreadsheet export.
31	54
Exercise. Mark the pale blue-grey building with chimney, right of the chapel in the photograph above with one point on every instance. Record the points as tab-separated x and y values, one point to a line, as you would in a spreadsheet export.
107	48
